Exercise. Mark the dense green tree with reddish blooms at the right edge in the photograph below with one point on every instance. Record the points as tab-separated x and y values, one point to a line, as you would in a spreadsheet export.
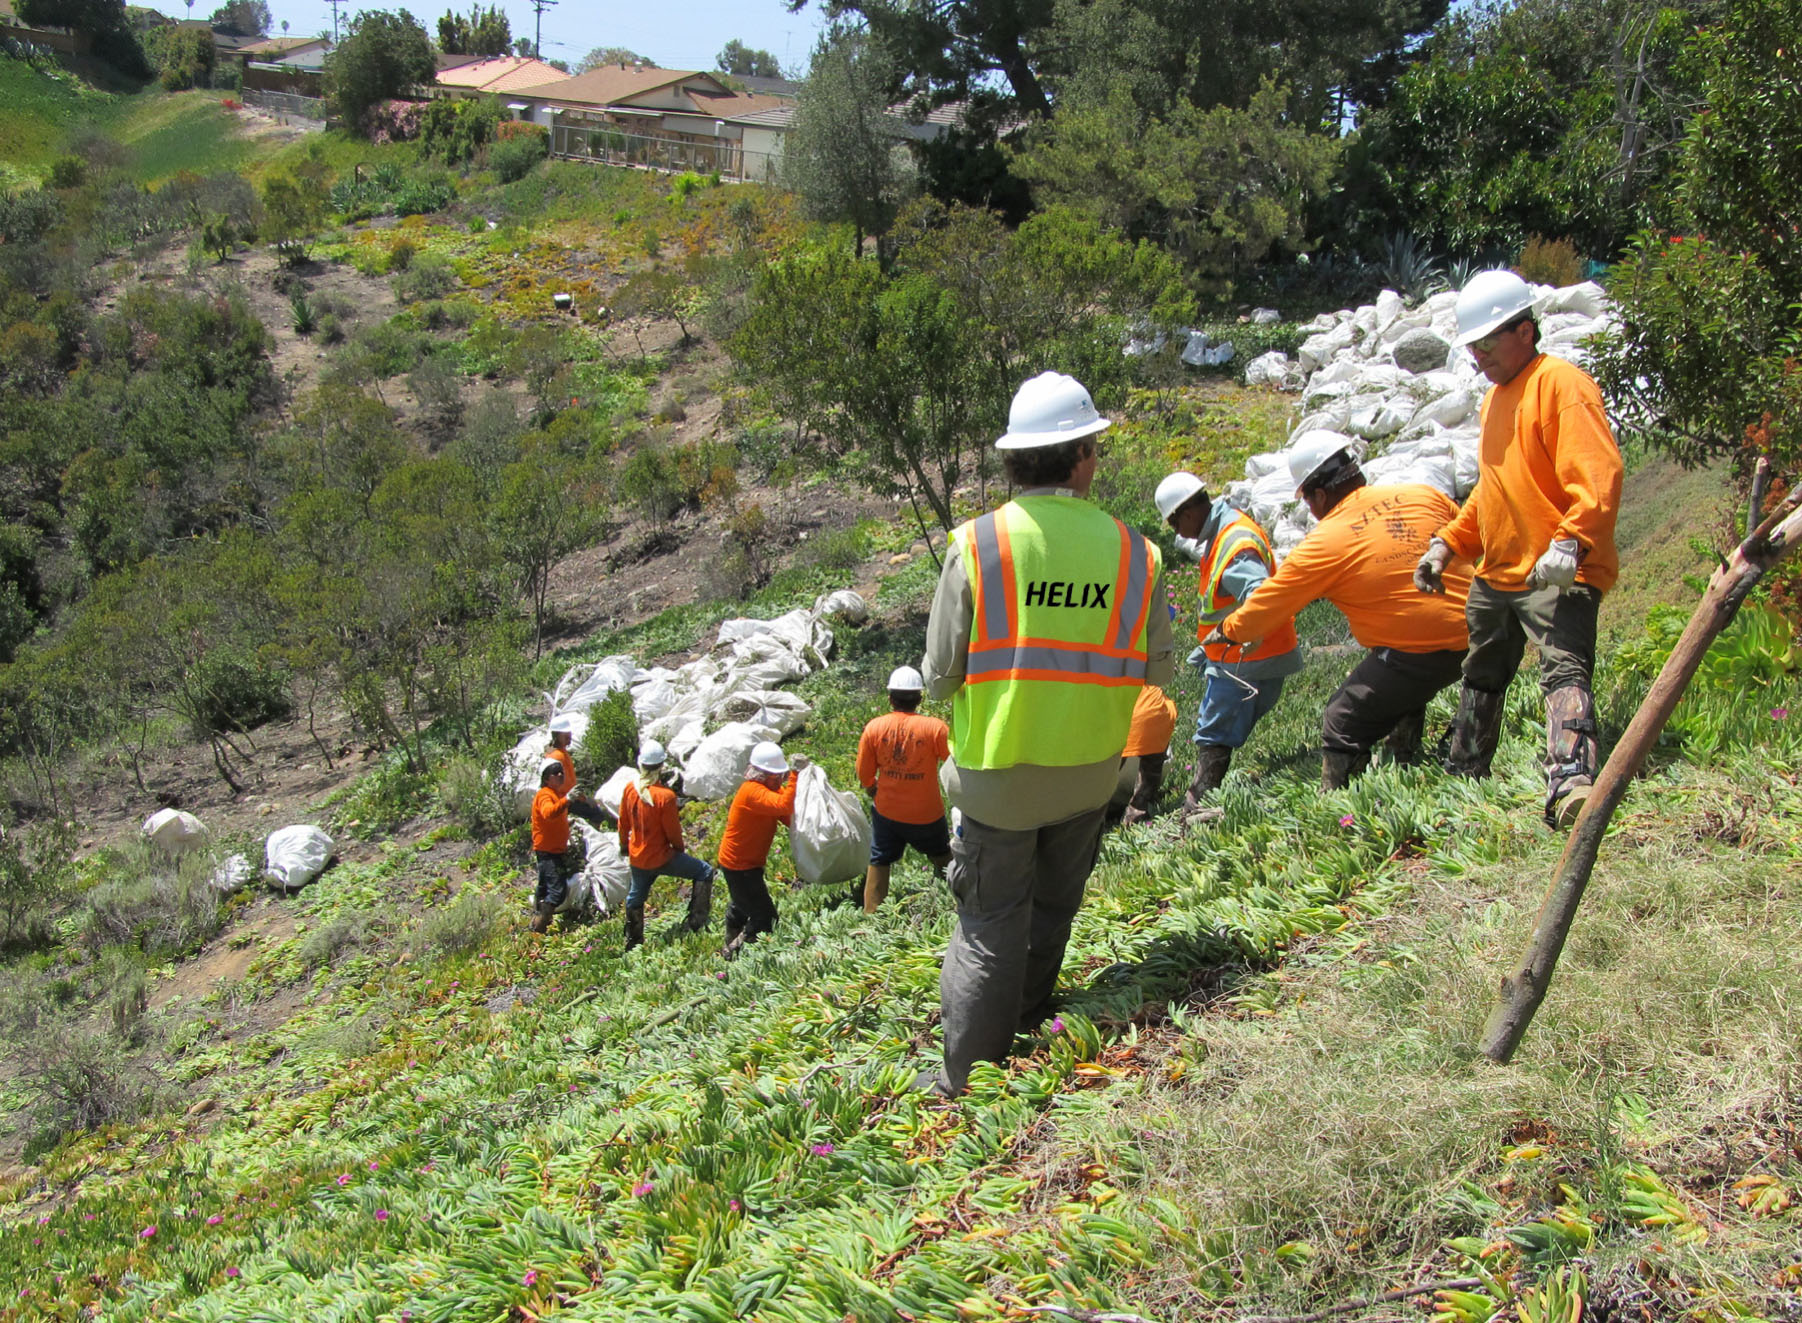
1711	306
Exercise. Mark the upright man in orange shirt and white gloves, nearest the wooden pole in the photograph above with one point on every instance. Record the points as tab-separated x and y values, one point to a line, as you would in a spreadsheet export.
1542	533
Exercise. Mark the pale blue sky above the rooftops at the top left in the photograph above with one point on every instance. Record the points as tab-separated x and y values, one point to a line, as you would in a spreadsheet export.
673	35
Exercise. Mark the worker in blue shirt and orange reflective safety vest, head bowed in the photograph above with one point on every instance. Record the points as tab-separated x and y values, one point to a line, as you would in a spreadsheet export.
1241	682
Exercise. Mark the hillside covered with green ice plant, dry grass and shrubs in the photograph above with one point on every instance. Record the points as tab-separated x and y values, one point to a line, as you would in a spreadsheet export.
311	495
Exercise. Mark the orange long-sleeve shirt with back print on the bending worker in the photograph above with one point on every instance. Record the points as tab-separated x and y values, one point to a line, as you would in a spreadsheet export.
1361	558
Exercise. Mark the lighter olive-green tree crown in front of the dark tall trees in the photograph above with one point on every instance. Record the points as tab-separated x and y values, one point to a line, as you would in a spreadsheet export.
1221	188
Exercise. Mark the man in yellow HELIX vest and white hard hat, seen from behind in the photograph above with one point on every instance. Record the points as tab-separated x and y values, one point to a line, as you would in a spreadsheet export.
1048	621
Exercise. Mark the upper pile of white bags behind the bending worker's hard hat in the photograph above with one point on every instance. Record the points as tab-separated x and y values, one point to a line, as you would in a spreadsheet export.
1388	379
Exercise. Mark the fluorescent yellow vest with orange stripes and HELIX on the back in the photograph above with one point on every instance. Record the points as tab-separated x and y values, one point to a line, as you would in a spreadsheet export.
1057	652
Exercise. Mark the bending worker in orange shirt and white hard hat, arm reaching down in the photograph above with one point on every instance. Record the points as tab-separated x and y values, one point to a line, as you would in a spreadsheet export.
1361	558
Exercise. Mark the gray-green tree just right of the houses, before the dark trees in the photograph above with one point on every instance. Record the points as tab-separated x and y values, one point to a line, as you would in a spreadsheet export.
844	154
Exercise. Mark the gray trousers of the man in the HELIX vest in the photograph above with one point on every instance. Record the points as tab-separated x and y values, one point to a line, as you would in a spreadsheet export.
1017	895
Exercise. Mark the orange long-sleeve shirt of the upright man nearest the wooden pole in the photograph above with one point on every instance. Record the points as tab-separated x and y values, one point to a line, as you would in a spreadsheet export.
1549	470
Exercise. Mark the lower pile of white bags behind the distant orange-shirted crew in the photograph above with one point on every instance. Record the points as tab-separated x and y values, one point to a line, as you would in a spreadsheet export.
707	713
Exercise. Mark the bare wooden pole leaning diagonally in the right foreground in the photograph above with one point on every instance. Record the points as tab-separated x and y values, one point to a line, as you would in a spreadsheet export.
1524	990
